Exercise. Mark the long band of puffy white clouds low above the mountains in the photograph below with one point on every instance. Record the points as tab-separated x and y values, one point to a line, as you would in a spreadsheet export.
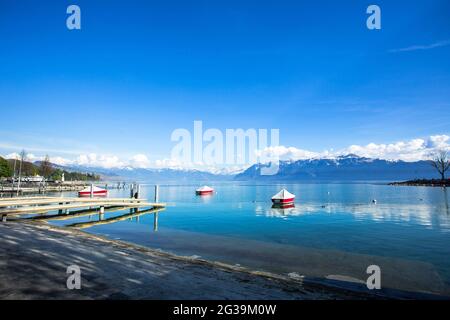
411	150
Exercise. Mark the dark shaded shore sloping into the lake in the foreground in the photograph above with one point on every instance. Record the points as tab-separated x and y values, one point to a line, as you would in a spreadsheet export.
34	258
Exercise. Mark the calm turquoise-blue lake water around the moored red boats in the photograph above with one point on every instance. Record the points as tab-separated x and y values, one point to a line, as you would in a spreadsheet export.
334	231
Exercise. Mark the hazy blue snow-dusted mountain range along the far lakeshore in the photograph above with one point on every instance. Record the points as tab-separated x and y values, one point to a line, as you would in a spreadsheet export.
344	168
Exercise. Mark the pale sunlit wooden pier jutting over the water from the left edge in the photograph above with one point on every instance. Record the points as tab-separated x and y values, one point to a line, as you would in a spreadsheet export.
30	205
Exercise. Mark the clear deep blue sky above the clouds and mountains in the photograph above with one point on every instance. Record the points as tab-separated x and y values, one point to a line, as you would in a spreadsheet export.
137	70
